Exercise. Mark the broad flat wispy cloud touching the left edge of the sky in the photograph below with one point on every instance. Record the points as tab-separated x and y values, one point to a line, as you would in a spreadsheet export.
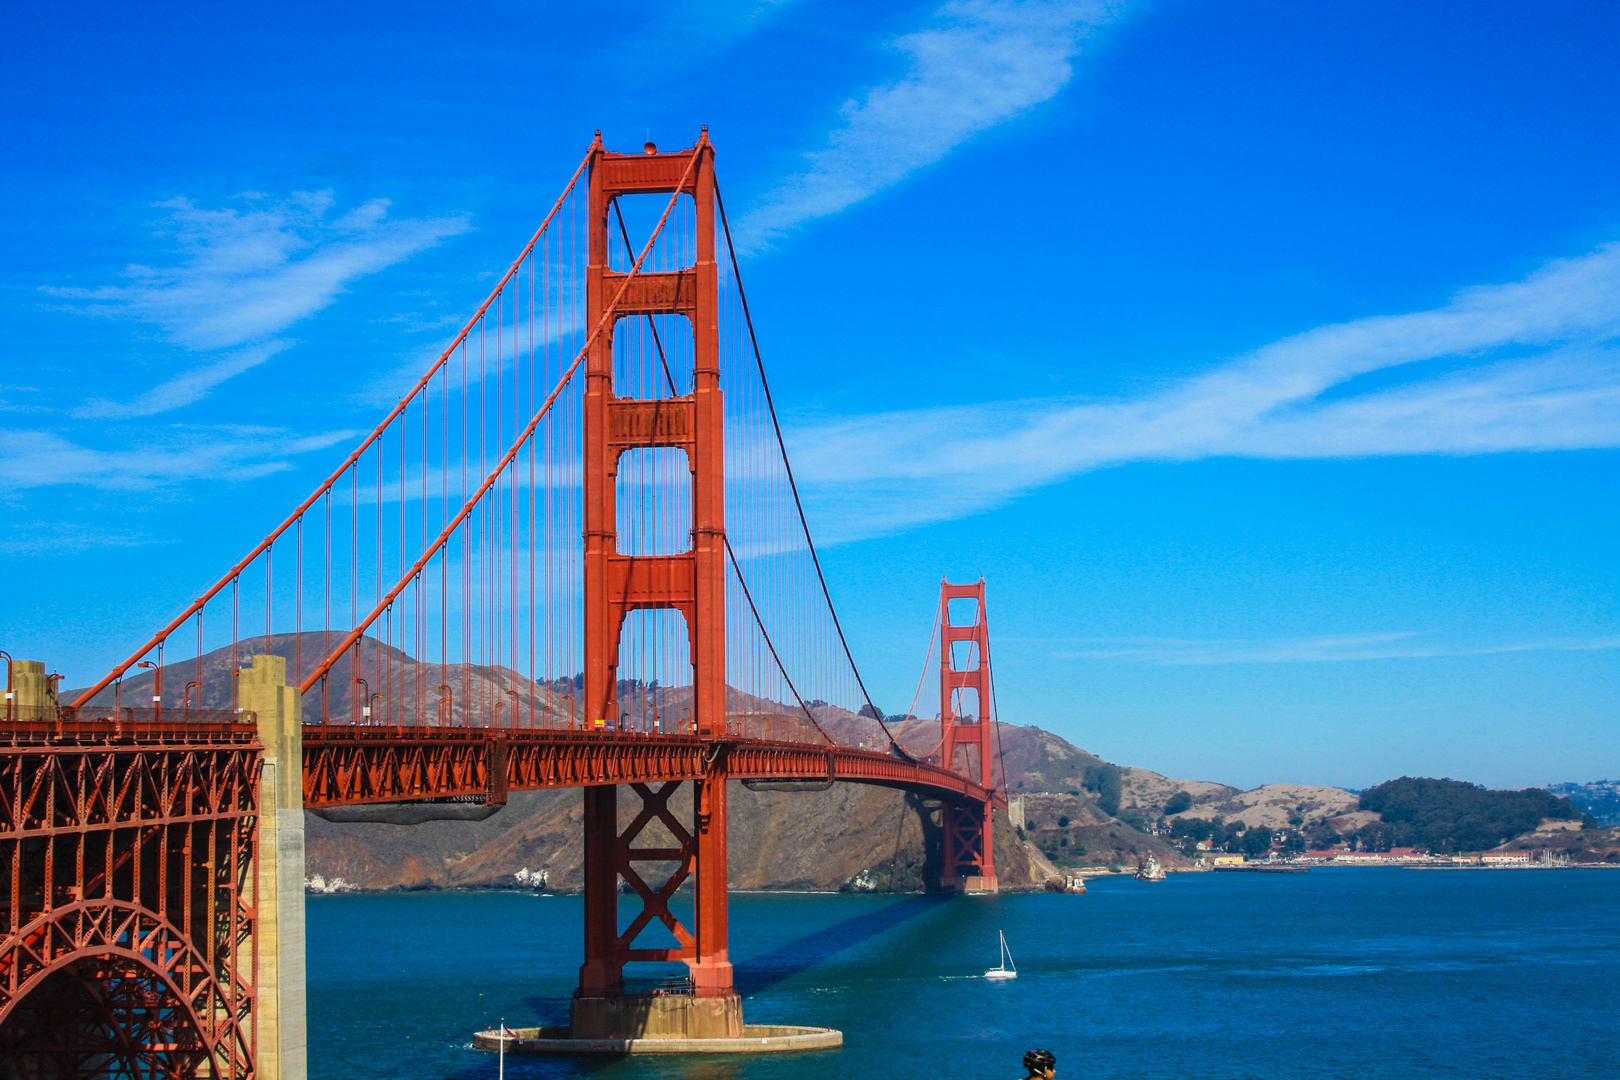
40	459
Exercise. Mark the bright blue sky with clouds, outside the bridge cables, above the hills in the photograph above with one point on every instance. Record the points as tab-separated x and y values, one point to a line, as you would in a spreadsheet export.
1263	357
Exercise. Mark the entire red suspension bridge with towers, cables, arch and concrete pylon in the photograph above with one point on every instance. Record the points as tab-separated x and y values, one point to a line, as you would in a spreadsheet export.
573	556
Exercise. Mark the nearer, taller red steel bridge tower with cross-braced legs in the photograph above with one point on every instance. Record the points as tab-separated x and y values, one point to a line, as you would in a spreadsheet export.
693	582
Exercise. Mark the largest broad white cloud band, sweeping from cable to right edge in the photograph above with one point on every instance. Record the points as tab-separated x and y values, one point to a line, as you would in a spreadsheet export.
1533	365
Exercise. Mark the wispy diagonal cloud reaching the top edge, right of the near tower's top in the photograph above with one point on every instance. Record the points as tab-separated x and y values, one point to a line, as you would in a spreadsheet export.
981	62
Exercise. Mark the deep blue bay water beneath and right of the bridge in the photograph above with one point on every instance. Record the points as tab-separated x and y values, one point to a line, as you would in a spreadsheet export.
1357	974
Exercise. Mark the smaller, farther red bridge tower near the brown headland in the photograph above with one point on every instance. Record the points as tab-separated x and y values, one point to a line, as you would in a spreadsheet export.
970	846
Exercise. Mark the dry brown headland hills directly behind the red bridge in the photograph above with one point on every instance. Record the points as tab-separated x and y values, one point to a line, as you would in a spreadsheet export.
845	838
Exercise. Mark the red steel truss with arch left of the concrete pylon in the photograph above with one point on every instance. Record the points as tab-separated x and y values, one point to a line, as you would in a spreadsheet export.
127	856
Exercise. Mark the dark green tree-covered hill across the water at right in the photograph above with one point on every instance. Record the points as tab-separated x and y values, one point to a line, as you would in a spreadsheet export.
1456	817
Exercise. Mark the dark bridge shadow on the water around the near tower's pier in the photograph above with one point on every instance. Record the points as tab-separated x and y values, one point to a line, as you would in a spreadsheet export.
754	976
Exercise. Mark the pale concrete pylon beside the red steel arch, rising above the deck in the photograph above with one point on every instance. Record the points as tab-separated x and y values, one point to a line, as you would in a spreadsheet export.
279	971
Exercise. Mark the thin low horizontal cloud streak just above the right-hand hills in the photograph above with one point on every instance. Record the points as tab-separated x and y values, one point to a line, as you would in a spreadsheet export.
1328	650
